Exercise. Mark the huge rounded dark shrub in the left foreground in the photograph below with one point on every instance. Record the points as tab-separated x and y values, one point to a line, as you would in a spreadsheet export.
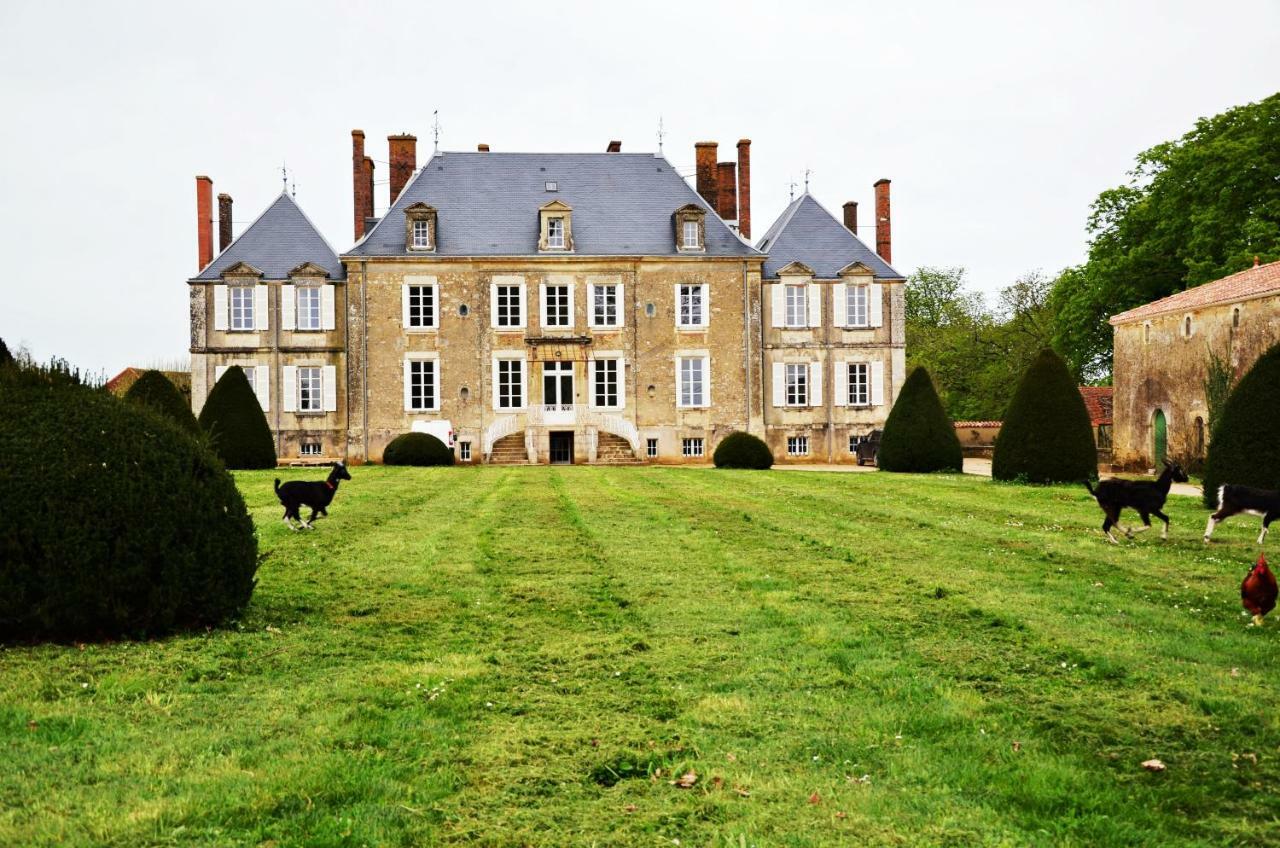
116	521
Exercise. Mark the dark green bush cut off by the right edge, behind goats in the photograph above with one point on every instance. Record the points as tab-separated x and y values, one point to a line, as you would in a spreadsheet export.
1245	446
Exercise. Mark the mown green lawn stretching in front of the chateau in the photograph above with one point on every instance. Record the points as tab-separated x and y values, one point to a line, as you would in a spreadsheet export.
513	656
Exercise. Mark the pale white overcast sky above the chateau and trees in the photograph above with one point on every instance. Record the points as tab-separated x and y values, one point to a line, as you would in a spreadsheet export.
998	124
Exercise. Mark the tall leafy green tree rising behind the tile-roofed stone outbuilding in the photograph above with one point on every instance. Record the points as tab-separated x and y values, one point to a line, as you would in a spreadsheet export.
1195	211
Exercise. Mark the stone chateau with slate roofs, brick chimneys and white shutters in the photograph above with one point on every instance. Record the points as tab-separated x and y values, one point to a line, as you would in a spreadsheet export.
555	308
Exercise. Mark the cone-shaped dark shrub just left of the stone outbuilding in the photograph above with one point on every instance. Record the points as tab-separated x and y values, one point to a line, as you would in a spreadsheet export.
1046	436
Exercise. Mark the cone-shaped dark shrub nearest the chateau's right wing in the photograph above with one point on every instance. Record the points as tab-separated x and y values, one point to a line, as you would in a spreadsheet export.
918	435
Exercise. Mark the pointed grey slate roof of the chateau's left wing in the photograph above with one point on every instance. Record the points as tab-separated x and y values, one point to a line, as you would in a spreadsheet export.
281	240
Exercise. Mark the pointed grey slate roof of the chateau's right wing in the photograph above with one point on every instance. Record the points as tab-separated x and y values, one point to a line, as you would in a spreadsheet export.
807	232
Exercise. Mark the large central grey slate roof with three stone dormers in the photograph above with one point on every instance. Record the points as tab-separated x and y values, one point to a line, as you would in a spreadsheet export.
487	206
